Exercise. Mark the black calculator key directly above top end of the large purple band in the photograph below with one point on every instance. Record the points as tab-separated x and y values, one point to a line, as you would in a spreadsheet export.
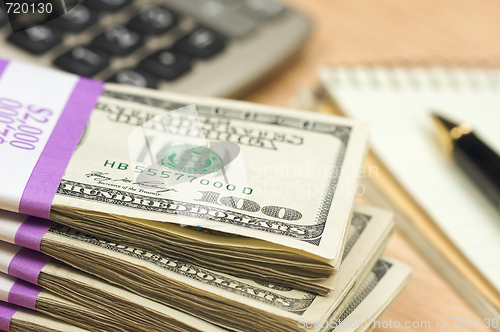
83	61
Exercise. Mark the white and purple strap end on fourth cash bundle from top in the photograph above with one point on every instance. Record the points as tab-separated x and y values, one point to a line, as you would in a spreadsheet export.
18	292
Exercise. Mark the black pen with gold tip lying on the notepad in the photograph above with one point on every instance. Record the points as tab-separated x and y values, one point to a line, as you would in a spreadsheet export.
477	159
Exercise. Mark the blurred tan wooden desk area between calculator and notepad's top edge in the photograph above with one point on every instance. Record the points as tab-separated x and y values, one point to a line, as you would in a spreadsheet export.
461	32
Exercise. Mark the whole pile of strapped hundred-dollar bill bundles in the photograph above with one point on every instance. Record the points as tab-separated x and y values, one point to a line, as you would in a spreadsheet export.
126	209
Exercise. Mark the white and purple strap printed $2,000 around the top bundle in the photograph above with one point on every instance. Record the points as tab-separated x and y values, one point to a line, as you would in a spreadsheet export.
43	114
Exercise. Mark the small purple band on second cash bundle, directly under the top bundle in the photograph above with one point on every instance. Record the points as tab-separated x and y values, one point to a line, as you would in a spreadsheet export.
31	232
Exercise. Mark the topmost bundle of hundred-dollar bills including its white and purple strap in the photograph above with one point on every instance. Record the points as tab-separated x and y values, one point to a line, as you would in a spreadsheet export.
272	189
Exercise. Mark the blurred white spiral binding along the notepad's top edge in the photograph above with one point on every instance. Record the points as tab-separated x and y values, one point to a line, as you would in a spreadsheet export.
431	77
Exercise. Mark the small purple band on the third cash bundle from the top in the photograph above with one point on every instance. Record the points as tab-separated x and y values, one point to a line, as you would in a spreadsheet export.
27	264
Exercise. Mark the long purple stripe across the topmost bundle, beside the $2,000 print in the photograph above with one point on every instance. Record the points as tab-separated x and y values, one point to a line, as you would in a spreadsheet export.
50	167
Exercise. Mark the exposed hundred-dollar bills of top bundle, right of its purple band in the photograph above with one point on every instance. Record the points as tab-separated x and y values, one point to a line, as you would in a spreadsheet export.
273	193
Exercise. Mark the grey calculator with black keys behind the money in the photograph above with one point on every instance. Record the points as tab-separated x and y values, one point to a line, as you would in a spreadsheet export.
220	48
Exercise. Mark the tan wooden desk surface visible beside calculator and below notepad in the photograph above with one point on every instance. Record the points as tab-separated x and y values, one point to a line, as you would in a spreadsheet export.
459	32
